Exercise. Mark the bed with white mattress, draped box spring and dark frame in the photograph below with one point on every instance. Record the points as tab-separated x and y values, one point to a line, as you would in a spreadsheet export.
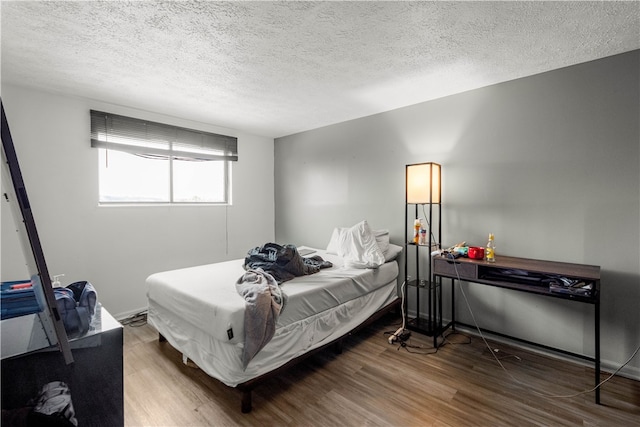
199	312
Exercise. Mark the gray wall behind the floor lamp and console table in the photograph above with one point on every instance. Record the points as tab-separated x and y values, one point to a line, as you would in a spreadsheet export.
549	163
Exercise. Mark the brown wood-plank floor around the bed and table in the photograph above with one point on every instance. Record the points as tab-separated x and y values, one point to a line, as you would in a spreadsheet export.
375	383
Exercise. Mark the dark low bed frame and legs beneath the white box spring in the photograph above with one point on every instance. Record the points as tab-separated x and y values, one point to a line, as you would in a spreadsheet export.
247	387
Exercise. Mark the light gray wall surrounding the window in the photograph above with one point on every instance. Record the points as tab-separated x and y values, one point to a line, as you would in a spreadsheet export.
117	248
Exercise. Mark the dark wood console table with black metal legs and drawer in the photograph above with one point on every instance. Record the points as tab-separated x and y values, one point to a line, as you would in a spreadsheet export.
528	271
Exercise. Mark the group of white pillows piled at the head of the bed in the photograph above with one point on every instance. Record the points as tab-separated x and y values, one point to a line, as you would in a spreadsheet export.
361	247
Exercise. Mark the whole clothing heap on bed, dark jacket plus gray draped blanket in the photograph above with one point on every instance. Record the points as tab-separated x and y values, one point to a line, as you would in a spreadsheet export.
266	268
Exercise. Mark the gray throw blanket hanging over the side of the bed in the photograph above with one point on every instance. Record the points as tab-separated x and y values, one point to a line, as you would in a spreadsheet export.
264	302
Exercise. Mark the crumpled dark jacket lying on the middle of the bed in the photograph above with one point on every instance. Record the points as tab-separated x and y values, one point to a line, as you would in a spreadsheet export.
283	262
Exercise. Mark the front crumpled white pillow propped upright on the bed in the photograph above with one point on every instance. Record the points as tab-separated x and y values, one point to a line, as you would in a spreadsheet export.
358	247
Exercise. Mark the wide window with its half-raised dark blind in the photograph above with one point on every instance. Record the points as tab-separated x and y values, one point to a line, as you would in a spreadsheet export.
148	162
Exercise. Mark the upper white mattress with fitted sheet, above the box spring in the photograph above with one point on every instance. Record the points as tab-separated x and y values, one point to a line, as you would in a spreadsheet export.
206	296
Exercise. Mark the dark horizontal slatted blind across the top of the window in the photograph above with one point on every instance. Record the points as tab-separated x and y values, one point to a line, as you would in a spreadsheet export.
151	139
